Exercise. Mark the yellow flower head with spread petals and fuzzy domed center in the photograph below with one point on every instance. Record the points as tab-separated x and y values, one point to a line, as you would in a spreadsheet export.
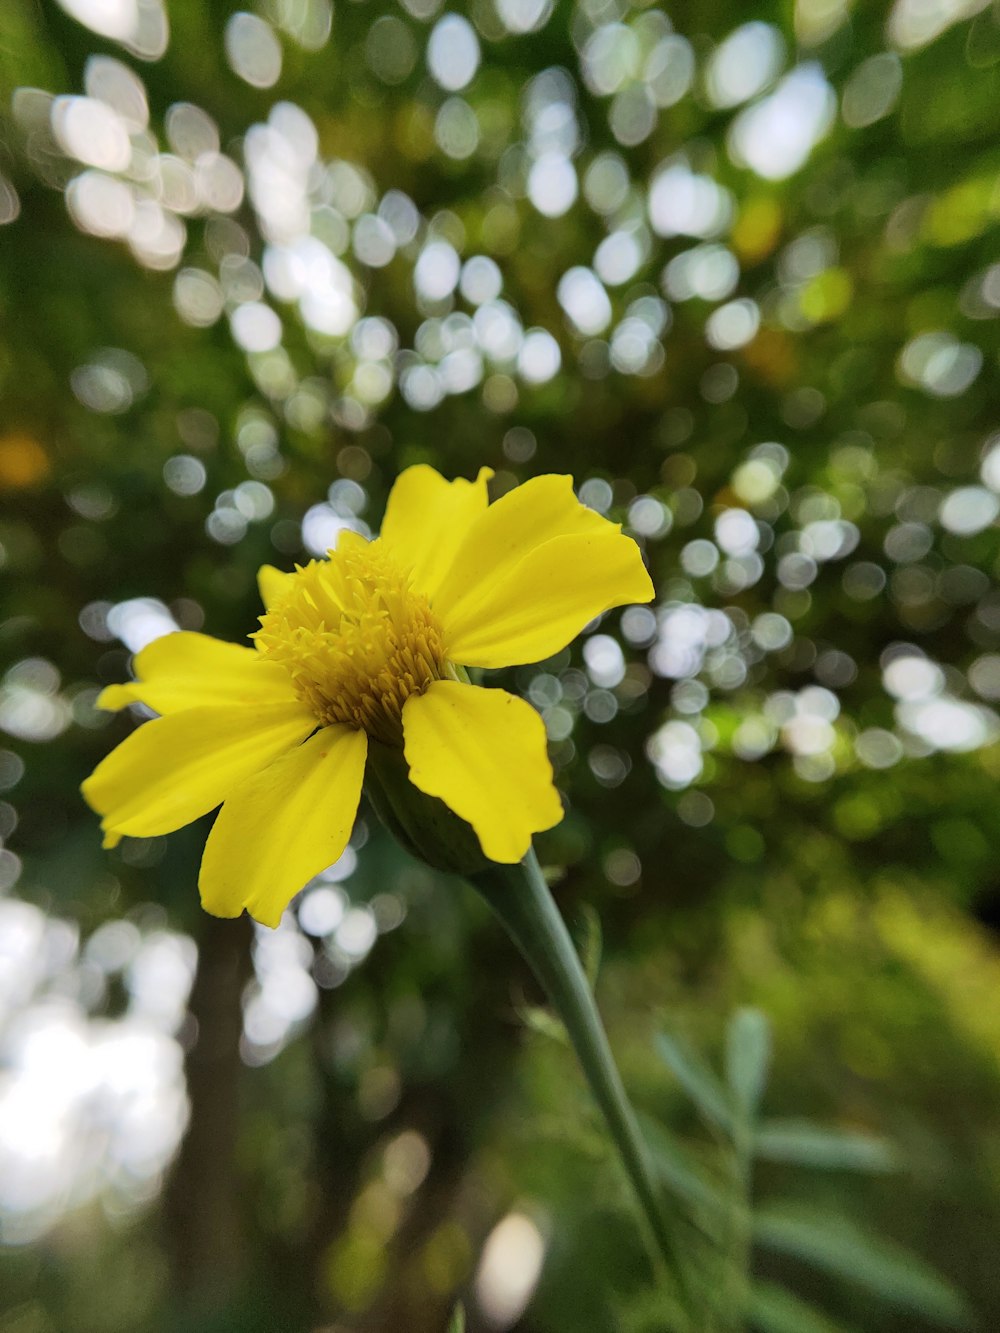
369	649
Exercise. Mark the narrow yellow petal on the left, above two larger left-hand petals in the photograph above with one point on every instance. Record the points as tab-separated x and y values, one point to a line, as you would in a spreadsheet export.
195	671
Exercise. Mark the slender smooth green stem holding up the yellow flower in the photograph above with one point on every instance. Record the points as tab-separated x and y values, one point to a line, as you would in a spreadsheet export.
523	902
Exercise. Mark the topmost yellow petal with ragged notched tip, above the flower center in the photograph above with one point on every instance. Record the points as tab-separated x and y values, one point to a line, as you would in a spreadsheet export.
427	519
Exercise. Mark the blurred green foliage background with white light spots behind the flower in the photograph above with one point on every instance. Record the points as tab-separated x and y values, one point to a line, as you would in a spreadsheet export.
741	281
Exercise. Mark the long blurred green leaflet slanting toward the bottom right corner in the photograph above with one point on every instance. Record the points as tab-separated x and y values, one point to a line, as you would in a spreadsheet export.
841	1248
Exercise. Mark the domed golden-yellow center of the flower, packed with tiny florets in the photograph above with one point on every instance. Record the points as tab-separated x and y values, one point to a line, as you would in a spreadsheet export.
357	639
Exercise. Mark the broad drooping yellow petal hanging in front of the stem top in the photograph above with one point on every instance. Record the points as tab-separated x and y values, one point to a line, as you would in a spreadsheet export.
483	754
